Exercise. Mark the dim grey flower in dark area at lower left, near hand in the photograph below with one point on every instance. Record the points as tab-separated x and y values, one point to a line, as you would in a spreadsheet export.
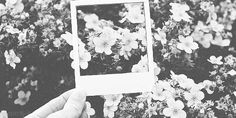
23	98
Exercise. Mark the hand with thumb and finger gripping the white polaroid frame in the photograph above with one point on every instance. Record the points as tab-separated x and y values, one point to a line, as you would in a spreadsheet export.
70	104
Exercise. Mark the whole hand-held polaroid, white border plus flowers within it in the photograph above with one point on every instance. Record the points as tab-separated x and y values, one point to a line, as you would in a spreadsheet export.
114	46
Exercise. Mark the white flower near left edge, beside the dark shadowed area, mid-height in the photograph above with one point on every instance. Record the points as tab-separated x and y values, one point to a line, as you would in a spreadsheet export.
11	58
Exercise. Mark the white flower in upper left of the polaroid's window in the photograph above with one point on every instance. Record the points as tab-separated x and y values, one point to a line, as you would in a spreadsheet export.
92	21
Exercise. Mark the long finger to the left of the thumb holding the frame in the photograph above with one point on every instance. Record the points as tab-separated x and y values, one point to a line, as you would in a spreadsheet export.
52	106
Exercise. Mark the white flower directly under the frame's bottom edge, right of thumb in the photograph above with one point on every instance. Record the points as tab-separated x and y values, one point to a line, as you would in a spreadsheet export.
113	100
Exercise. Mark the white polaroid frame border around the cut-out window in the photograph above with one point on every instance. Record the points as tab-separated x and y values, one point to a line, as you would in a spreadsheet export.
114	83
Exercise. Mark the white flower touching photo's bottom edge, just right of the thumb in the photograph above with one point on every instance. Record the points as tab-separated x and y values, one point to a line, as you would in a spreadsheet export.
109	111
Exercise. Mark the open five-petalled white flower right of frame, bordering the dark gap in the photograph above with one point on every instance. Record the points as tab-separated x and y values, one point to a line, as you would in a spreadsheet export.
187	44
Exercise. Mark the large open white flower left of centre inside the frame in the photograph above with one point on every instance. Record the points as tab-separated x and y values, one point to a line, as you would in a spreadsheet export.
105	41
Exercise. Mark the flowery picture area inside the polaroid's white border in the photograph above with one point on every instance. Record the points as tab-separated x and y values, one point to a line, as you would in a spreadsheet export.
114	36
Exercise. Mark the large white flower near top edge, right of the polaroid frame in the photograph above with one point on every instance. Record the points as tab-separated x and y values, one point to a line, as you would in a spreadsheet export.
179	12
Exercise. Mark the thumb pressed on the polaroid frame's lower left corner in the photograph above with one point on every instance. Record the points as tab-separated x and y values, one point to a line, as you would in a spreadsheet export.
75	104
